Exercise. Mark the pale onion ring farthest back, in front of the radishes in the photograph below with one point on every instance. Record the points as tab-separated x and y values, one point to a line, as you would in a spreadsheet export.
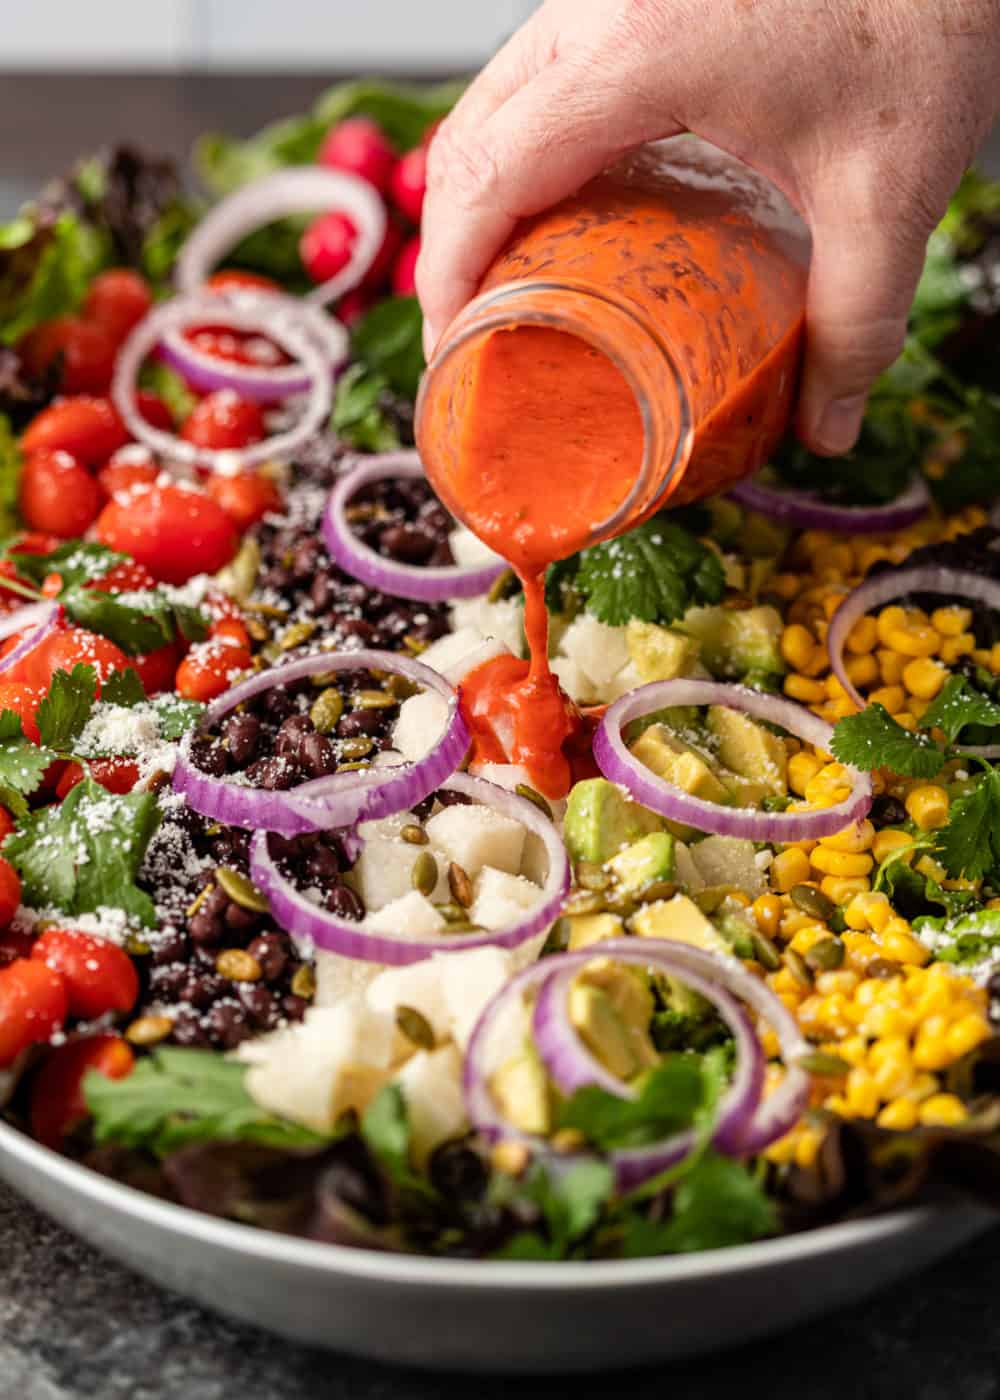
293	191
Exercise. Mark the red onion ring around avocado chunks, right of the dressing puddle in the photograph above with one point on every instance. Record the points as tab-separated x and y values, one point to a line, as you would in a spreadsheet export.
620	766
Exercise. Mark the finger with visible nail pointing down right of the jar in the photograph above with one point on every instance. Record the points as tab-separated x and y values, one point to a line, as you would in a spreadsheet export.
862	283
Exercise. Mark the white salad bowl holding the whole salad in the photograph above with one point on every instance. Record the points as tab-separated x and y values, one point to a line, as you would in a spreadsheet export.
485	1315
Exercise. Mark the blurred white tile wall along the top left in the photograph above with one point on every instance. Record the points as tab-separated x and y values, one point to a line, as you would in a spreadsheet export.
256	34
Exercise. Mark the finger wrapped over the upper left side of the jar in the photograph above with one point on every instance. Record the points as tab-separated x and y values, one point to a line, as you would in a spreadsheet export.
561	129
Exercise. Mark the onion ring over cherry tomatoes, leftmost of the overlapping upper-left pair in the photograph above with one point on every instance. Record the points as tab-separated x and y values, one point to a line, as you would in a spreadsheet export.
285	321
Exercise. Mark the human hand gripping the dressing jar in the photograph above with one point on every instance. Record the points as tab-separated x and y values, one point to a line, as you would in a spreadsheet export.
863	113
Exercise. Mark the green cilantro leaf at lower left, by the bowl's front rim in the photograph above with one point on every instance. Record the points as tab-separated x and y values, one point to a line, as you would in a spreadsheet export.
179	1097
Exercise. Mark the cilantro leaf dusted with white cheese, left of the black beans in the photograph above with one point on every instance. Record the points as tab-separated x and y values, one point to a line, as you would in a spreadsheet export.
85	855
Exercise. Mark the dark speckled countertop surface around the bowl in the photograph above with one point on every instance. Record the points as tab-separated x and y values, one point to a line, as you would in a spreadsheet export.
75	1326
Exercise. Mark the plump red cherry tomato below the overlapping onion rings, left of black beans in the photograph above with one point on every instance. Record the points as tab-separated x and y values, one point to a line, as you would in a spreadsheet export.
172	530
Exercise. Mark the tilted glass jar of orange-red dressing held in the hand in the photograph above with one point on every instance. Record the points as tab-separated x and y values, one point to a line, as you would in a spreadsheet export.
635	345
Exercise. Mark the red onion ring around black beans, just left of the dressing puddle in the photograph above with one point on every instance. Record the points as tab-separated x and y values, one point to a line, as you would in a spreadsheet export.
342	799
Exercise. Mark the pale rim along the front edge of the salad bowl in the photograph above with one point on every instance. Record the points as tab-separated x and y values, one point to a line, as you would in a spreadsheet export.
383	1268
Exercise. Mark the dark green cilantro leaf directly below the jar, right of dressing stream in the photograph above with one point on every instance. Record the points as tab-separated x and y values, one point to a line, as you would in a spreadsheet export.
656	573
